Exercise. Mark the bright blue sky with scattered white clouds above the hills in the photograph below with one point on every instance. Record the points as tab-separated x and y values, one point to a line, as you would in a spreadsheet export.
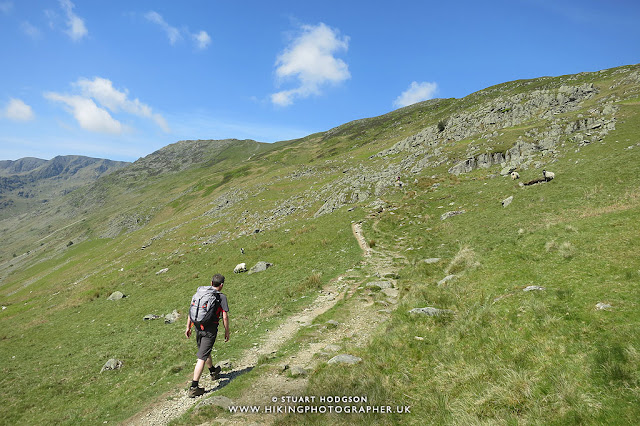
121	79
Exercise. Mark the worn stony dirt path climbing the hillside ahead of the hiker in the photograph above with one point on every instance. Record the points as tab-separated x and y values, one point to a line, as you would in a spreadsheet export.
289	377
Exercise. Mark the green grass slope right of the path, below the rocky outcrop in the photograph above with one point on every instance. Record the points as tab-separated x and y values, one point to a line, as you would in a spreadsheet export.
509	356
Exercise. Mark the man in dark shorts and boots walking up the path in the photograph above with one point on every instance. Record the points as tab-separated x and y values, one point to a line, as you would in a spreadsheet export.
206	334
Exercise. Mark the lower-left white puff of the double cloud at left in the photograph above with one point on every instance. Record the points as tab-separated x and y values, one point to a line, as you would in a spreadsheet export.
88	115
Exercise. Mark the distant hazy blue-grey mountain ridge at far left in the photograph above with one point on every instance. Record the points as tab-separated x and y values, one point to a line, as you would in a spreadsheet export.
29	181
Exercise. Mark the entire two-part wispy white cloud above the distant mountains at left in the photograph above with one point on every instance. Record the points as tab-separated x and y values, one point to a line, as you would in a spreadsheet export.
97	100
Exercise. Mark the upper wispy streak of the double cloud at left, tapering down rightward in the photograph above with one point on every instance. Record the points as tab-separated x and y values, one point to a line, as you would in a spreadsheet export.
102	91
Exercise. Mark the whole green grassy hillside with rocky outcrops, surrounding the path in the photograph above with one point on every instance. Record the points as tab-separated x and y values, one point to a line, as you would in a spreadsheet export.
503	356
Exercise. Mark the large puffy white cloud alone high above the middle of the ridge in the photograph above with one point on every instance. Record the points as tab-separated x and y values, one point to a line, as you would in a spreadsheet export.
310	59
